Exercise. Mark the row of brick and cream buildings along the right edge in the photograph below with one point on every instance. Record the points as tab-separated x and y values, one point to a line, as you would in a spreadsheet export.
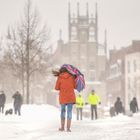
123	74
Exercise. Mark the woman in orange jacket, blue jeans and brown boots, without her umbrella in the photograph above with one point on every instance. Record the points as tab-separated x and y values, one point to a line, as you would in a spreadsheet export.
65	84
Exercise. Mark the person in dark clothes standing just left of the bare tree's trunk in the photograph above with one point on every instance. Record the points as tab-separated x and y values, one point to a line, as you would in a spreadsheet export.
17	102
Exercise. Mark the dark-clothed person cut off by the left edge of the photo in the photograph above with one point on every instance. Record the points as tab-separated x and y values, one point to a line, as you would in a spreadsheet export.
2	101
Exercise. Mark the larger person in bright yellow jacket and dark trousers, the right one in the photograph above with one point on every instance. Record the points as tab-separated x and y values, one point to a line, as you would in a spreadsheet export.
94	100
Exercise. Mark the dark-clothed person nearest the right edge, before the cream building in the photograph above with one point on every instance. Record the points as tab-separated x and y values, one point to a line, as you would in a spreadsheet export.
134	105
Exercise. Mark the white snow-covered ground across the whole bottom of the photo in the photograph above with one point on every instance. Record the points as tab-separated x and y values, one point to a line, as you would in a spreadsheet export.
41	122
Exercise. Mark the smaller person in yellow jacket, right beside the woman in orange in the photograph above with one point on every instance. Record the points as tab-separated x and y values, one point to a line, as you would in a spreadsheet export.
79	106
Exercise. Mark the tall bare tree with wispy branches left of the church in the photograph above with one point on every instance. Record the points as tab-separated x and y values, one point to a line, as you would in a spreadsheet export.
26	43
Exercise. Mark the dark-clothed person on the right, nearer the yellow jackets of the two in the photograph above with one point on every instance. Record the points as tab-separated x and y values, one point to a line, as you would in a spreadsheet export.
118	106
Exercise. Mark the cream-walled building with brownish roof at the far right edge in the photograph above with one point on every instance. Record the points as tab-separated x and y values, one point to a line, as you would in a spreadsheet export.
132	74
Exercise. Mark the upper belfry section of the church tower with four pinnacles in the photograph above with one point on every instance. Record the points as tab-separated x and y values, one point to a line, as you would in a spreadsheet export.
83	28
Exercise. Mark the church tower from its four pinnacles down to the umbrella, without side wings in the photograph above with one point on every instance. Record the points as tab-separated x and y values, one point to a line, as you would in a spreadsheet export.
83	41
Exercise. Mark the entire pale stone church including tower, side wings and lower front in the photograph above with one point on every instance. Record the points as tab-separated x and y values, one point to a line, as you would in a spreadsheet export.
83	49
